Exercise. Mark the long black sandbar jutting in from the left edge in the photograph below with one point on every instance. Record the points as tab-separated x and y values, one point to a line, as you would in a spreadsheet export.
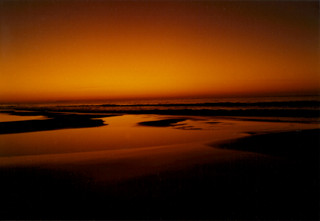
55	121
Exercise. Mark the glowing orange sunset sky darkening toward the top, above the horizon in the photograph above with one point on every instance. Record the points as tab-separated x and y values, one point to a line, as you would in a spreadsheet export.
82	50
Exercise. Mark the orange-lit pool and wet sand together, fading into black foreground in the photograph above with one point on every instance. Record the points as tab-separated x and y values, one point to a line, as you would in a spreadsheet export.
123	149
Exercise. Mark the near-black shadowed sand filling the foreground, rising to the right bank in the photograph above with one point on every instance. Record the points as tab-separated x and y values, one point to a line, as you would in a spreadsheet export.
224	185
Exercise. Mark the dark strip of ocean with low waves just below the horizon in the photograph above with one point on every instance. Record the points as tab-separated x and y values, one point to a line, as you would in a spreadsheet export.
303	104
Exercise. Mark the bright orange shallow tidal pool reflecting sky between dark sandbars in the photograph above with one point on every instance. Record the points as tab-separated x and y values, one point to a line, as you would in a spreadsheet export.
123	132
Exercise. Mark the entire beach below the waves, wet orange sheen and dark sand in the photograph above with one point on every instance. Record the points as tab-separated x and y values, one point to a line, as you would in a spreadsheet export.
159	167
